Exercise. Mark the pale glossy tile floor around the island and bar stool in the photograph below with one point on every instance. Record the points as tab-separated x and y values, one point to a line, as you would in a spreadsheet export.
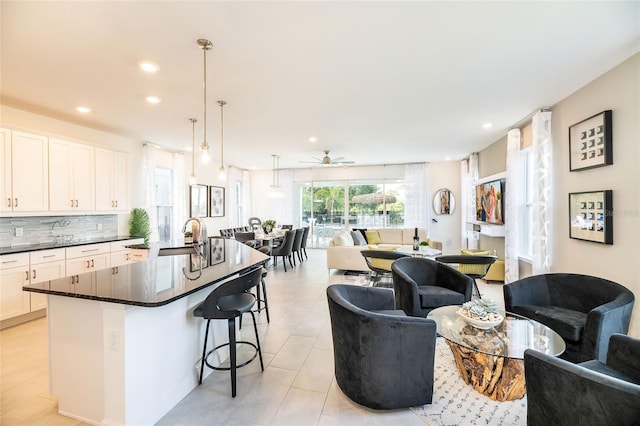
297	386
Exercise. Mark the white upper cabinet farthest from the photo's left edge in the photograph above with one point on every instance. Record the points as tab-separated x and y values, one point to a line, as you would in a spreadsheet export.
112	180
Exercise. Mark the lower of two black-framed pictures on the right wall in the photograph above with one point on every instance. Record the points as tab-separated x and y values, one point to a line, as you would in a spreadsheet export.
591	216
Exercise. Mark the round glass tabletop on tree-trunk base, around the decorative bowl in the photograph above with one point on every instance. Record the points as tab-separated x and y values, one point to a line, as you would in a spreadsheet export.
508	339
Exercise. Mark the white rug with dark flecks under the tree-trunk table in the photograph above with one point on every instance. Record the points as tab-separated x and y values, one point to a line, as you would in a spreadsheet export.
456	403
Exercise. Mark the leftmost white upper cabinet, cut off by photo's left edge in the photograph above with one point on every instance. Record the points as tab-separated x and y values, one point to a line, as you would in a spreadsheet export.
25	175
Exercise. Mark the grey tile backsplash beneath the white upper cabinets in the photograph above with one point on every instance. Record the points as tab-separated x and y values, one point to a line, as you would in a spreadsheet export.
55	229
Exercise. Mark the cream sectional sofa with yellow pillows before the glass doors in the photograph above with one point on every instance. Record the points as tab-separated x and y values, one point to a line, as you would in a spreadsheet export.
342	252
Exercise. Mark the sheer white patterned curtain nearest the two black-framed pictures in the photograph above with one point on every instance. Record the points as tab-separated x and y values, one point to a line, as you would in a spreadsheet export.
541	233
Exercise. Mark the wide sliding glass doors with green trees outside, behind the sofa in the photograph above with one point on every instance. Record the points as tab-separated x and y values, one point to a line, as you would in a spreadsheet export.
329	206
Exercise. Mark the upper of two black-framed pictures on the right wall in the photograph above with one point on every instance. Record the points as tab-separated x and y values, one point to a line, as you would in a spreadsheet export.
590	142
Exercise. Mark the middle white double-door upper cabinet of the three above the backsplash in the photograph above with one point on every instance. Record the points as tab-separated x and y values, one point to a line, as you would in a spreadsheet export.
71	176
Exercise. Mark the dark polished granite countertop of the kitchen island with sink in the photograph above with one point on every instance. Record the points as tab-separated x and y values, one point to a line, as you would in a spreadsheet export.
158	280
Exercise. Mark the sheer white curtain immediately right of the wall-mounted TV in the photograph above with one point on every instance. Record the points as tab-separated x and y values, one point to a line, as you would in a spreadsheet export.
513	201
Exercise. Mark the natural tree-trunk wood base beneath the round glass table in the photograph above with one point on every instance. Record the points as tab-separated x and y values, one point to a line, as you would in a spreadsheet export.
499	378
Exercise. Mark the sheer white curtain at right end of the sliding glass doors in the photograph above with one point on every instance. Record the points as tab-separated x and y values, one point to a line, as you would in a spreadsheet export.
416	211
